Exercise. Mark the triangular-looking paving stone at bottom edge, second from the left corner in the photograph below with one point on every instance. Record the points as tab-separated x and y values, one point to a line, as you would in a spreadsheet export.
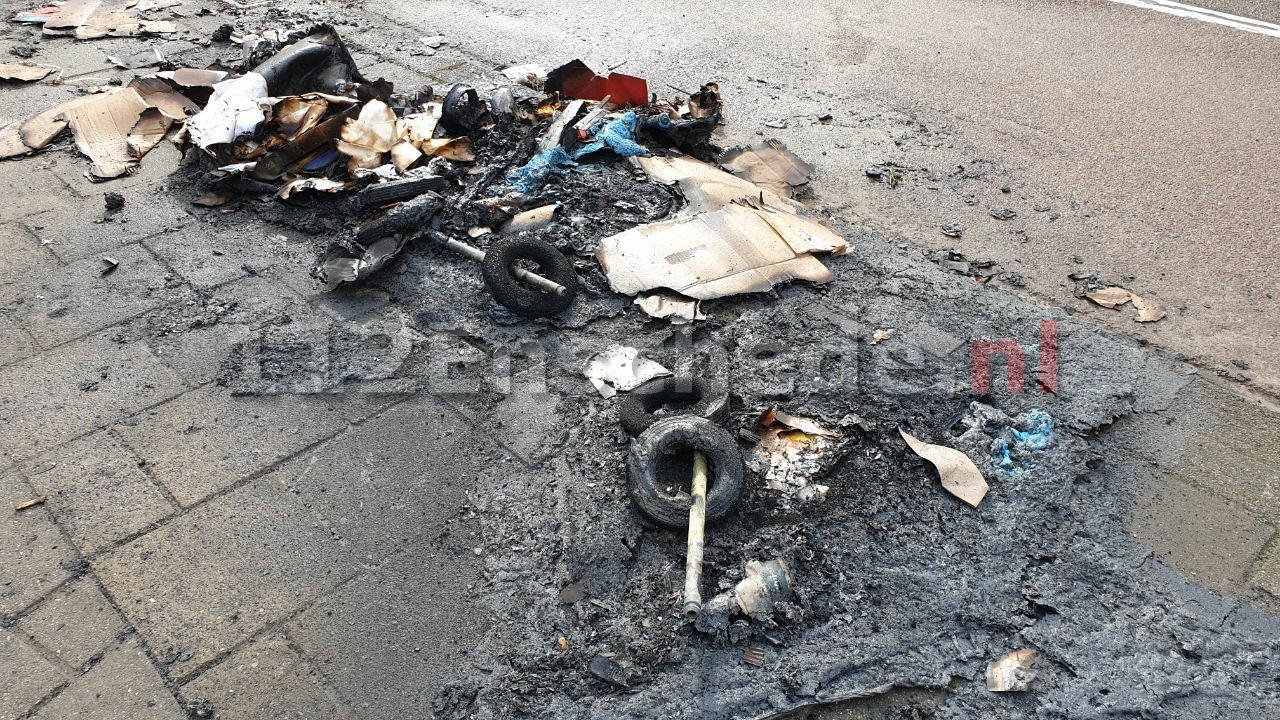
125	686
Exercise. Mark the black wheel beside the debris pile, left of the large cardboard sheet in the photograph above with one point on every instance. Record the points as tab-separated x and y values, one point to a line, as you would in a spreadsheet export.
518	298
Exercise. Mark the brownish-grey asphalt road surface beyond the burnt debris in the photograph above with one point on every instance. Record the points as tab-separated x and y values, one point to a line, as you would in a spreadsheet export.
1154	138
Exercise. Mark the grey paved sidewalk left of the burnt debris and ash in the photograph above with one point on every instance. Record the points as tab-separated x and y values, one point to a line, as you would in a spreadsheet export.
196	545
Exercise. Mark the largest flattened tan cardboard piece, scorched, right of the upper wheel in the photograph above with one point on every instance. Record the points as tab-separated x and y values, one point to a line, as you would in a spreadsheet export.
734	238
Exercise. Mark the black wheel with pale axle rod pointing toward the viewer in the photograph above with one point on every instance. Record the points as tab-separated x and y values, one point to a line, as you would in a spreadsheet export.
669	436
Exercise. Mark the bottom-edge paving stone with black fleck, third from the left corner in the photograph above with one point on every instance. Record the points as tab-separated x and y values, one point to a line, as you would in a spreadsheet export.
267	681
